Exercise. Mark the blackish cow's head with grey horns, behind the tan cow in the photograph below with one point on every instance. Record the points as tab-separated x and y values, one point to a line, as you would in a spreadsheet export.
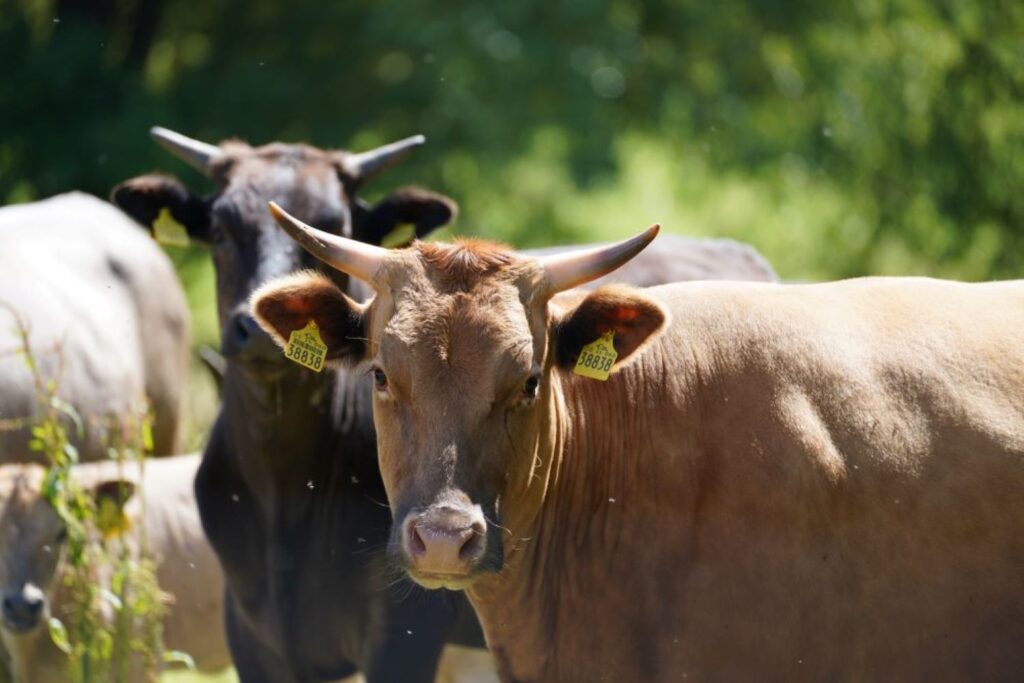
248	247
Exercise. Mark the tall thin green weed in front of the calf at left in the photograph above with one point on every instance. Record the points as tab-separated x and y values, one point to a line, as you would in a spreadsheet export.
113	609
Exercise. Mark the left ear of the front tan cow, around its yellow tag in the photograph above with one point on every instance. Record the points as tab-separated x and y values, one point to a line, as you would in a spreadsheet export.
289	304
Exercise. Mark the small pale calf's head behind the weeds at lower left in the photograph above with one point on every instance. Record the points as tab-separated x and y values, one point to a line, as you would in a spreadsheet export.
33	537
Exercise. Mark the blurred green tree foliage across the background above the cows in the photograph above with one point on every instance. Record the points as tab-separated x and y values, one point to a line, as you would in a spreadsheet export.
842	139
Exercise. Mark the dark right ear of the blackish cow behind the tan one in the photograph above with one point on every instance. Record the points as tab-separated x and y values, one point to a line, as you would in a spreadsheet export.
424	210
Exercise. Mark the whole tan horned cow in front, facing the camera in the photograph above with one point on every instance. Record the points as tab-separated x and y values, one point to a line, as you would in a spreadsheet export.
810	483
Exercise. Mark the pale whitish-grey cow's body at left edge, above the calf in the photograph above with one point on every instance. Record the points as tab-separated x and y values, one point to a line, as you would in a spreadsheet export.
107	321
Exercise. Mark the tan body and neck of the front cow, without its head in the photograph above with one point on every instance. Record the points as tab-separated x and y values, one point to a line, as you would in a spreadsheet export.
812	483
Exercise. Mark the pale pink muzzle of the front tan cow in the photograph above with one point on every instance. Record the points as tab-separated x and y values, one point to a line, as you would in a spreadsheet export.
445	541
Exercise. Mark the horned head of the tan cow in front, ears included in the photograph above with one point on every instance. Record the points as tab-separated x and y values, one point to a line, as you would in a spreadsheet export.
467	349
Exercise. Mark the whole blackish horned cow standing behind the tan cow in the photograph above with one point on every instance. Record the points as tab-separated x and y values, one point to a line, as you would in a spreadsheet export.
297	527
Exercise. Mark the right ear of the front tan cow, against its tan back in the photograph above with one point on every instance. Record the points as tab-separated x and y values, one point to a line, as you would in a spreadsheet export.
625	312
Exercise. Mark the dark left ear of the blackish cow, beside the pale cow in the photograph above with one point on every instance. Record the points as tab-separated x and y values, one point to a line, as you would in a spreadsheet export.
146	198
